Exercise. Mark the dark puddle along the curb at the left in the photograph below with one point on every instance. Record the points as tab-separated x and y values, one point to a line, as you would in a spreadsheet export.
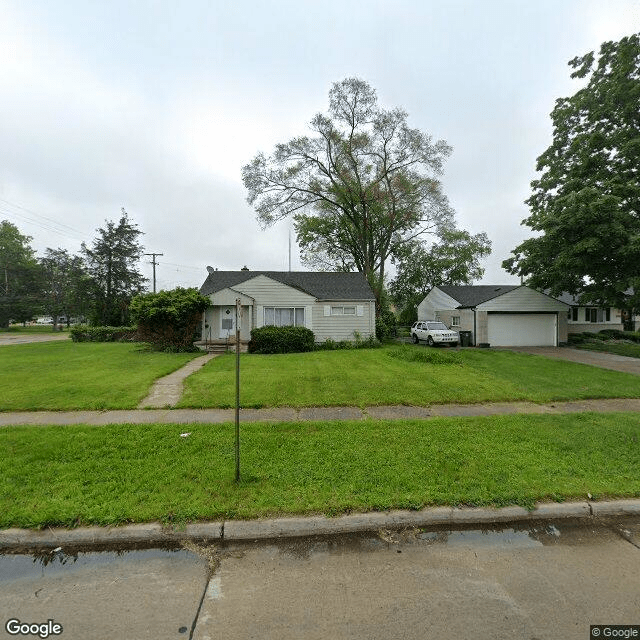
19	566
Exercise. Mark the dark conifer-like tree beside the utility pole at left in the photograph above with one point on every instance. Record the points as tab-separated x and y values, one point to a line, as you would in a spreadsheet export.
112	262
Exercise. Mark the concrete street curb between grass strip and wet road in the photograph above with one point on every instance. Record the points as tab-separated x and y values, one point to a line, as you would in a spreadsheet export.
297	527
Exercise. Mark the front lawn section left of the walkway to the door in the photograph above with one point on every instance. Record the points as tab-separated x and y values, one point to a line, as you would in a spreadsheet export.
69	375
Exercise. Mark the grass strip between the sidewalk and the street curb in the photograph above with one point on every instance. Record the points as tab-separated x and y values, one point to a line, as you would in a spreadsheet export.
115	474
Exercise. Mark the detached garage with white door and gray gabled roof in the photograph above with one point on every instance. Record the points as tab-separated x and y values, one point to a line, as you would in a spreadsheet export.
498	315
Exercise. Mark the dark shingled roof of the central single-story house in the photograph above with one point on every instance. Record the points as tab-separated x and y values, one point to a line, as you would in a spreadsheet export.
319	284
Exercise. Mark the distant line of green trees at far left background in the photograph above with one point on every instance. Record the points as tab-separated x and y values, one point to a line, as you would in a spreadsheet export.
96	285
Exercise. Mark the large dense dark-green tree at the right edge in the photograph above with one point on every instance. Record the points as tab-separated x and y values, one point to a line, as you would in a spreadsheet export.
586	203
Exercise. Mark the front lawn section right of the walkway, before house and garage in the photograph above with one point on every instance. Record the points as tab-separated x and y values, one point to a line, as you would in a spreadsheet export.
400	375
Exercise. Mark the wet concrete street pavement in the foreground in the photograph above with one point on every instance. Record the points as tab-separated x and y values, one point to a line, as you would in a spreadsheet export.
546	580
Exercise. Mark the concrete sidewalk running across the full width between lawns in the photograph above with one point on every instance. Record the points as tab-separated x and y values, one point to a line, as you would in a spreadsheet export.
291	414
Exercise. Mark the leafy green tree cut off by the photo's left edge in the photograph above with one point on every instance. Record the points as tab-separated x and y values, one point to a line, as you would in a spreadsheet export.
19	276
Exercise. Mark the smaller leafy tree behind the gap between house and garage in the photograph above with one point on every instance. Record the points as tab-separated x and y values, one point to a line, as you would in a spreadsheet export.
453	260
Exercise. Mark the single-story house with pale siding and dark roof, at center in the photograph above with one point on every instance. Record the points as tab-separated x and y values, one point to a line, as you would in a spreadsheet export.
332	305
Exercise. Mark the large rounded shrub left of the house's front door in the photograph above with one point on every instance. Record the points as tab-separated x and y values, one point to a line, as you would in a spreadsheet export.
169	320
